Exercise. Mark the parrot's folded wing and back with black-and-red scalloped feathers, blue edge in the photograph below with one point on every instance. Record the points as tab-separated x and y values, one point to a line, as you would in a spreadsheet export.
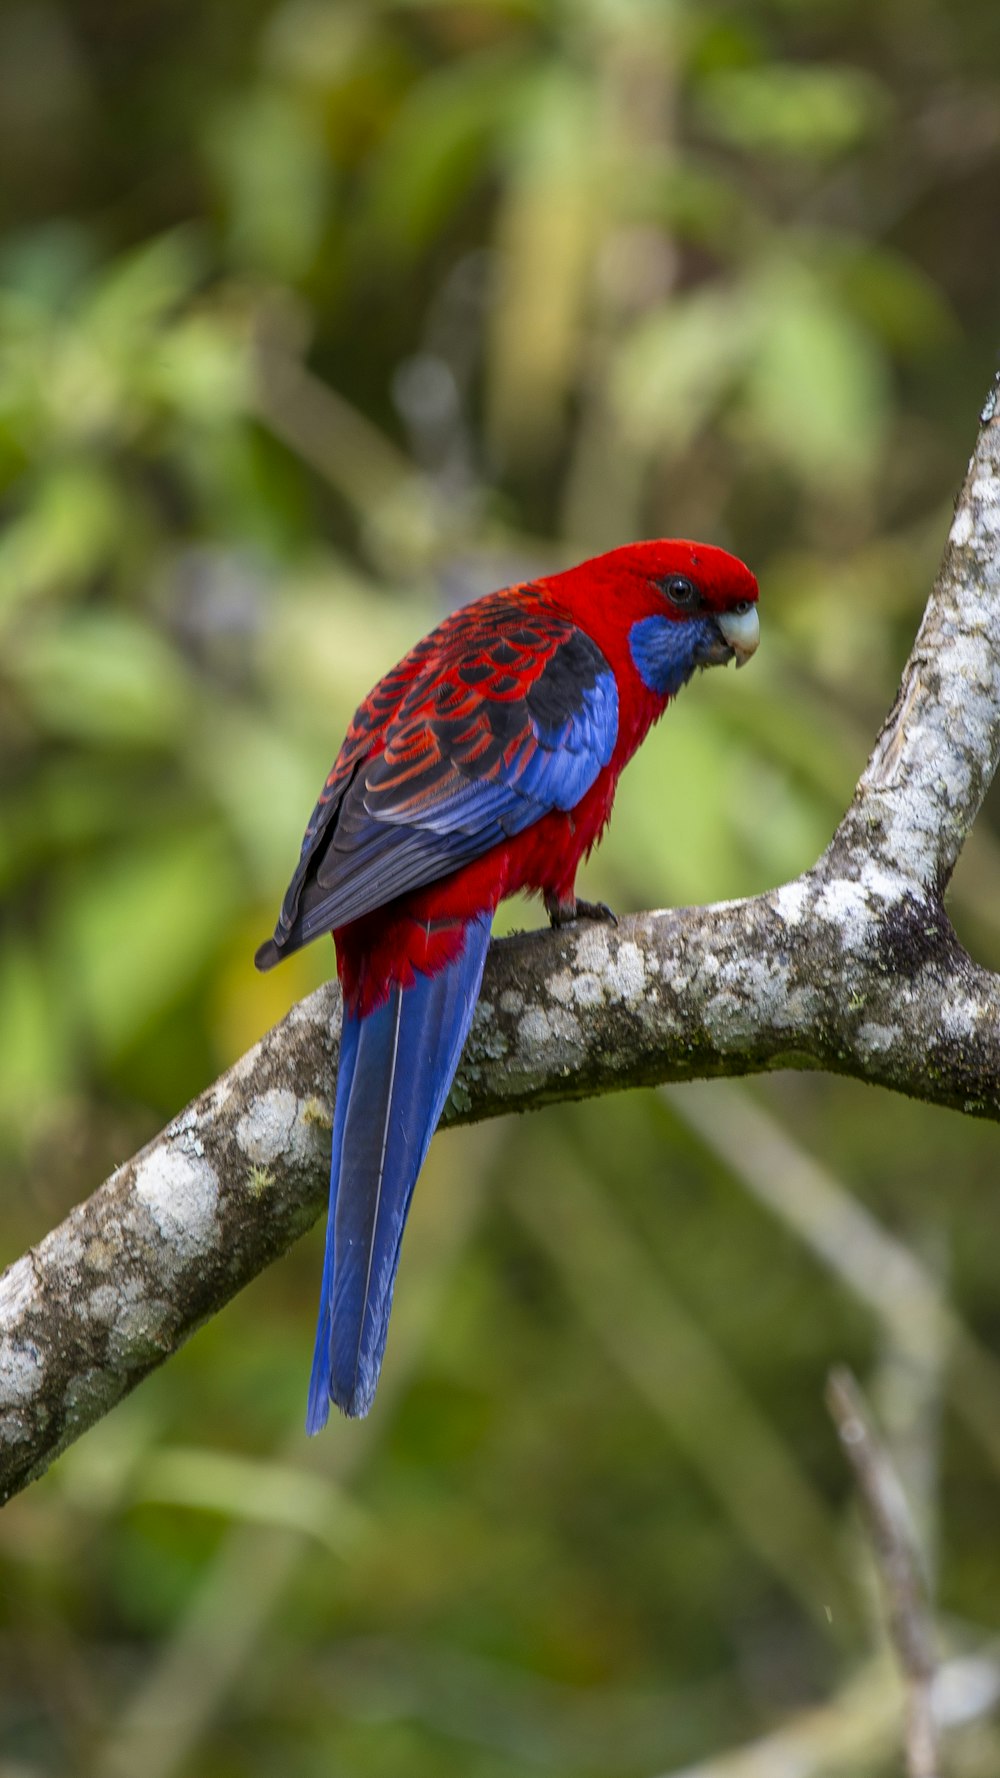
504	714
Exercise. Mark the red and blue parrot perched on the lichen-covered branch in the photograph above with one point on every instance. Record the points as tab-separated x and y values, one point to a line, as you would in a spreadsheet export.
483	765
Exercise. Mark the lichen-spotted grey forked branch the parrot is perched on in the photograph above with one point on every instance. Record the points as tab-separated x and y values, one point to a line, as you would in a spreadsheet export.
853	968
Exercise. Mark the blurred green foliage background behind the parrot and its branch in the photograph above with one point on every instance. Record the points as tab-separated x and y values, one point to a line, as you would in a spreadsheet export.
318	319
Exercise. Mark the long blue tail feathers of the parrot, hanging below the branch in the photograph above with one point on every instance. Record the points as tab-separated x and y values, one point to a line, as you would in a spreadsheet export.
396	1069
